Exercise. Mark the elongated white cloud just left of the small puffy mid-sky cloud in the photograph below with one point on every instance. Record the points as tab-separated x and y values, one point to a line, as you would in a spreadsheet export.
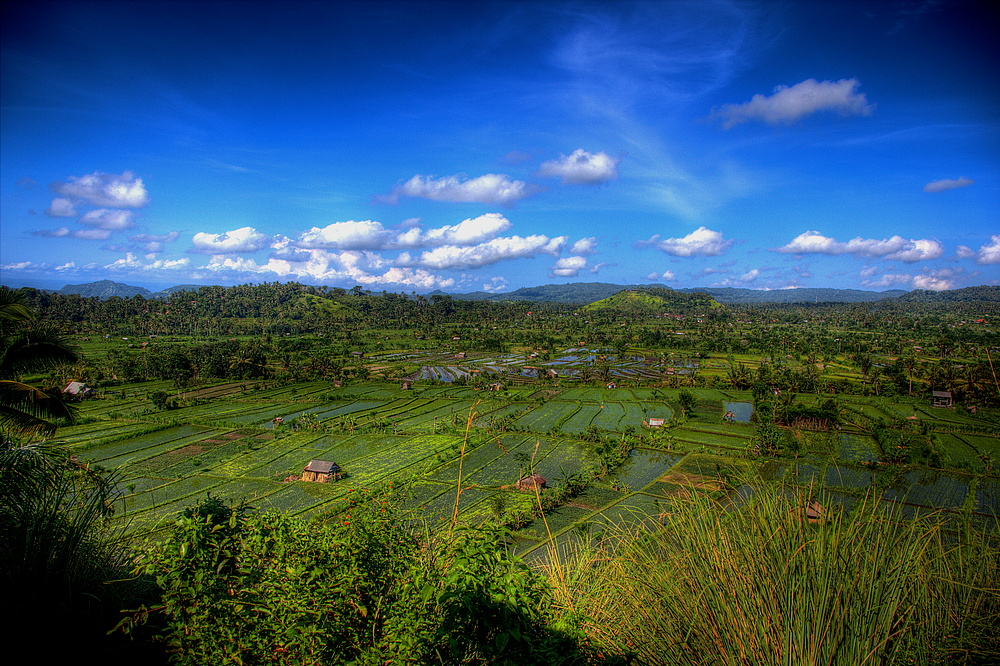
489	189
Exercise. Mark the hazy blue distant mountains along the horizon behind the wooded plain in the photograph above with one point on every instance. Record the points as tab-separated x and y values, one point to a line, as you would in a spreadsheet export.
582	293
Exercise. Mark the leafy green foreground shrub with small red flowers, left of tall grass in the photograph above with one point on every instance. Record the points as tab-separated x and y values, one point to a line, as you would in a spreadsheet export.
261	588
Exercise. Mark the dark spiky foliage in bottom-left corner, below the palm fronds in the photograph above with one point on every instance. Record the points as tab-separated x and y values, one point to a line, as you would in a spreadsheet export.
59	540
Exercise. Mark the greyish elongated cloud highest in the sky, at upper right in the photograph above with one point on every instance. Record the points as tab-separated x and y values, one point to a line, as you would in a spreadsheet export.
790	104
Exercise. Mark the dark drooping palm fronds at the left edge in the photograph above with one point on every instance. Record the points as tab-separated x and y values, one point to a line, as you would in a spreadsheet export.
25	410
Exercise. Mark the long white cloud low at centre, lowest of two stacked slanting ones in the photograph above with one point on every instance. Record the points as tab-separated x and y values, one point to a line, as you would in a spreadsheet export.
484	254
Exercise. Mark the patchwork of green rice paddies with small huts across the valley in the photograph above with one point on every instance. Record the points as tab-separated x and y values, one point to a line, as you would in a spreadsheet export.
443	445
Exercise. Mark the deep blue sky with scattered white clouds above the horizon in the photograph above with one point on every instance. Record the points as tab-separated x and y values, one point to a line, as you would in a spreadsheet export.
465	146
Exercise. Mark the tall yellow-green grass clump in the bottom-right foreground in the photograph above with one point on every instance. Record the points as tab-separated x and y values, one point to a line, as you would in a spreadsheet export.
755	583
